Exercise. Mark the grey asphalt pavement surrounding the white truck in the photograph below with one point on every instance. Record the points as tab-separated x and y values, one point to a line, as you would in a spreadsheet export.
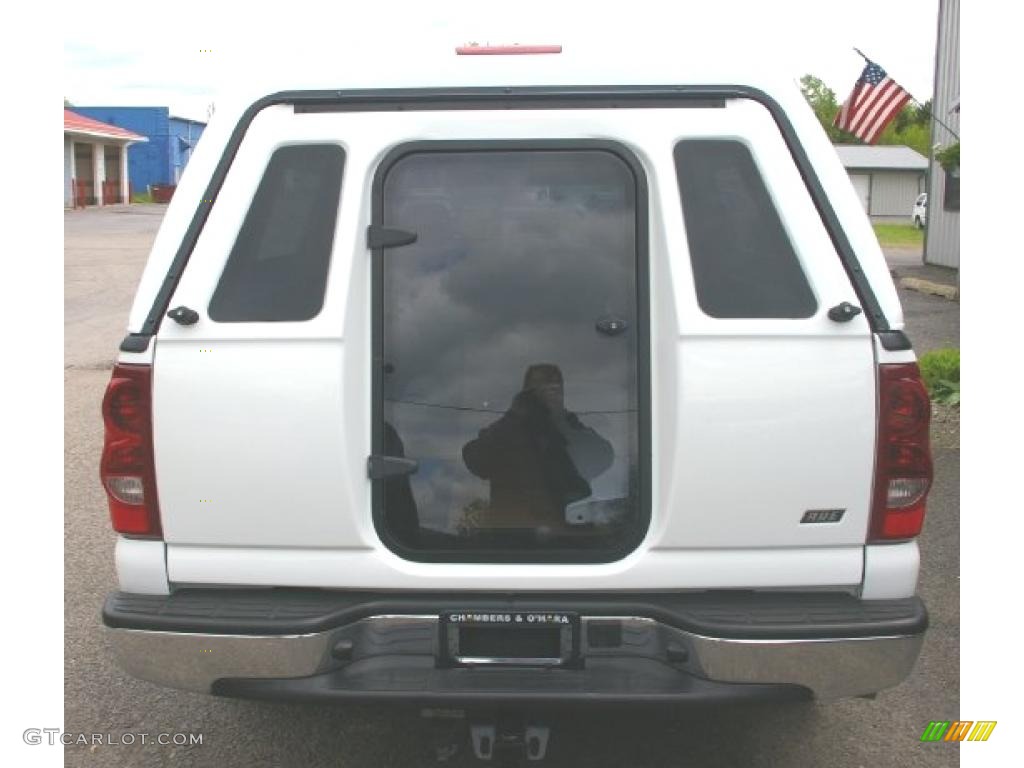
104	255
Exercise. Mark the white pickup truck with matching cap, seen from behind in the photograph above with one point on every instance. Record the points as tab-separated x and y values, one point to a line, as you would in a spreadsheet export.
518	381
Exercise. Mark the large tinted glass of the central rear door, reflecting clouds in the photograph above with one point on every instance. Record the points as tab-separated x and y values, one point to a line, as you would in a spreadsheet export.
510	353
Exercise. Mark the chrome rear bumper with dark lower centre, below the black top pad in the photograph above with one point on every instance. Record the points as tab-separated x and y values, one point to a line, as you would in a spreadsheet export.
386	656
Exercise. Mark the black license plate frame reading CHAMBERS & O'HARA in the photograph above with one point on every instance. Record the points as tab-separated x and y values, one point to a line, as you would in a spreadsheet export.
509	638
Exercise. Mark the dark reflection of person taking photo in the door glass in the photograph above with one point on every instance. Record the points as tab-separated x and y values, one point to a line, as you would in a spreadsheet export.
539	457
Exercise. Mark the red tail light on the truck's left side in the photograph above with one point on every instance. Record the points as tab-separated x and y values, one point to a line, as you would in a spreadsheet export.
126	468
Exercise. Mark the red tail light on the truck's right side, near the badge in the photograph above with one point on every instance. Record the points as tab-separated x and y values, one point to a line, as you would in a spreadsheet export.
904	456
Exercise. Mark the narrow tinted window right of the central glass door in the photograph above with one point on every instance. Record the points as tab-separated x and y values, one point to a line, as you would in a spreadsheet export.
744	264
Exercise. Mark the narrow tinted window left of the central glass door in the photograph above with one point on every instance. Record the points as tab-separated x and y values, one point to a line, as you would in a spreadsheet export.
278	269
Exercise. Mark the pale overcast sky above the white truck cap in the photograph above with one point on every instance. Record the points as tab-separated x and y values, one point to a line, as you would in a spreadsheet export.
159	57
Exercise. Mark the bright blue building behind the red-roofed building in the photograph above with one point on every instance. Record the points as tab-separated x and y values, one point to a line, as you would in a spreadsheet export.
160	160
